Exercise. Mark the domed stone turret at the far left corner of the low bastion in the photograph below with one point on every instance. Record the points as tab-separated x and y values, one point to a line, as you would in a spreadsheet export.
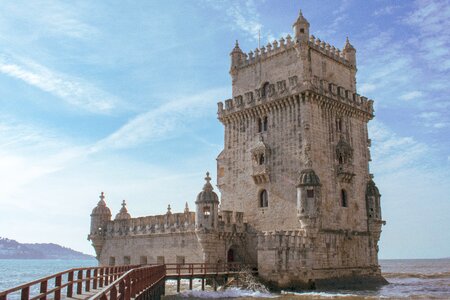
100	216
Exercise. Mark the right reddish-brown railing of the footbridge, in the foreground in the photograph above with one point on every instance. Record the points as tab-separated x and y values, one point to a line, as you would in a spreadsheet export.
133	283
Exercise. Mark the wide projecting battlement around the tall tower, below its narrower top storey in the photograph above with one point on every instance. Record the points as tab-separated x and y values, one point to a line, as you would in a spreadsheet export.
290	88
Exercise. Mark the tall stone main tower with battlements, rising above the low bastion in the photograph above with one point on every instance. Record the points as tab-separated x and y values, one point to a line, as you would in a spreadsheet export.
296	161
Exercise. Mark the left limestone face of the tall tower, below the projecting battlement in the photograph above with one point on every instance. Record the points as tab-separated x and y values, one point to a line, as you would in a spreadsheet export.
236	167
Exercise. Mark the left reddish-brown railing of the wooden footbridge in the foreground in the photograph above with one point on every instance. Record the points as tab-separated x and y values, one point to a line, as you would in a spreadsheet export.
73	281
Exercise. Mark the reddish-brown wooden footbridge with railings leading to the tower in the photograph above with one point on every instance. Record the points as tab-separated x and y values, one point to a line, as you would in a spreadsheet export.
121	282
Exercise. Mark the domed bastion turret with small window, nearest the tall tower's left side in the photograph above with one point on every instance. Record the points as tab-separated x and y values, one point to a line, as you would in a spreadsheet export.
207	205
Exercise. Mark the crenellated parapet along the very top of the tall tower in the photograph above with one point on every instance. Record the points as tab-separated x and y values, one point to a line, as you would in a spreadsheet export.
286	44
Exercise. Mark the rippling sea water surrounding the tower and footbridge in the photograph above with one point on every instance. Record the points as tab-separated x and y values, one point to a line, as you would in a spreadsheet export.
408	279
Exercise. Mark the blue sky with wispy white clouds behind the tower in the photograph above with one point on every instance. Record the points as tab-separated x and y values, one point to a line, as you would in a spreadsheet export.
121	97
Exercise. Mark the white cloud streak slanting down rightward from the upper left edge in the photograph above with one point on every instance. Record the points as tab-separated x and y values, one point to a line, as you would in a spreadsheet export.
74	91
